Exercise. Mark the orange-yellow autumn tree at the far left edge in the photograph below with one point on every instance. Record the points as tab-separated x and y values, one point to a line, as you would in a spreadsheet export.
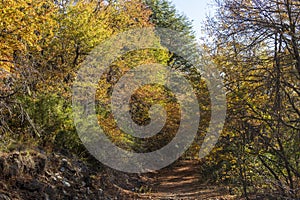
24	25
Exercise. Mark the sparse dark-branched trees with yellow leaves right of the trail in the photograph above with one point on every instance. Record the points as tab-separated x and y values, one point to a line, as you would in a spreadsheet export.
256	46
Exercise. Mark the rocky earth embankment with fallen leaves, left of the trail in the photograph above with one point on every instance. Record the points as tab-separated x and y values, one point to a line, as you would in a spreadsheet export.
35	175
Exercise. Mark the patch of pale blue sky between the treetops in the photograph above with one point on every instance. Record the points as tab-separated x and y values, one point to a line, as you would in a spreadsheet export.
195	10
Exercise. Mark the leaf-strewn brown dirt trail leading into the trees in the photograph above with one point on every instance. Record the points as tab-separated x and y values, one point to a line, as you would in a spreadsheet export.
182	181
